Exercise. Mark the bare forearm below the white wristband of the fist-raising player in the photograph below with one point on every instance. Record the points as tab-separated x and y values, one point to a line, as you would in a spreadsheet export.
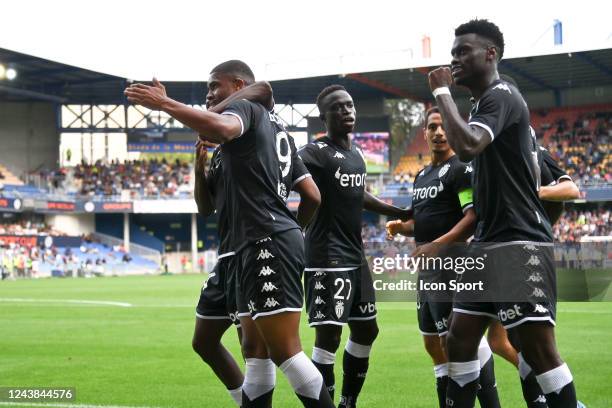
467	141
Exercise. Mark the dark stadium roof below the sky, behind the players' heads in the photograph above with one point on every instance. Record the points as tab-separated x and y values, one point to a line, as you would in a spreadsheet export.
45	80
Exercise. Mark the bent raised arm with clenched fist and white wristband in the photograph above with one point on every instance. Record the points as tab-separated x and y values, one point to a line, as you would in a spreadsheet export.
467	141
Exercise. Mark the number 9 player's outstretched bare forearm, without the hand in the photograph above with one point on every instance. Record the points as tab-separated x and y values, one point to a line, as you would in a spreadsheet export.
216	128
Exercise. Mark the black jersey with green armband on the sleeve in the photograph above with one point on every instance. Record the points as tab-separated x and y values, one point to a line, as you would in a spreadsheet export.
440	196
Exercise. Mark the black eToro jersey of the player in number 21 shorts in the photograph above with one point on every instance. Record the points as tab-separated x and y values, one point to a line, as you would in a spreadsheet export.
333	238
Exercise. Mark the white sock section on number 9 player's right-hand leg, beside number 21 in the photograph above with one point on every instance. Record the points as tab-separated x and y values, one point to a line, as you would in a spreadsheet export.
303	376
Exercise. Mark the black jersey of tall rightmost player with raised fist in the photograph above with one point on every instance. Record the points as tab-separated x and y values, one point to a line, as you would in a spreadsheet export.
506	172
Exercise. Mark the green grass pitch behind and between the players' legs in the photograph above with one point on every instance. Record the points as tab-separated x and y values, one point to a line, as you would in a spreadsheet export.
141	355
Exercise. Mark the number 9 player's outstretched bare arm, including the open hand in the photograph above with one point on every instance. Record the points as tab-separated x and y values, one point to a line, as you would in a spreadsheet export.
216	128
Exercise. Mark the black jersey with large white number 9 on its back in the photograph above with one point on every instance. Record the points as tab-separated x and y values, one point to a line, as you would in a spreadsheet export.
254	166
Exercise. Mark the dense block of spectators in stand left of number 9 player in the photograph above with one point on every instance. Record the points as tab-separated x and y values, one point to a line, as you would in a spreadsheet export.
150	178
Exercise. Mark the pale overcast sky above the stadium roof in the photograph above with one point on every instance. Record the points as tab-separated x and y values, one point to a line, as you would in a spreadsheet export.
183	40
